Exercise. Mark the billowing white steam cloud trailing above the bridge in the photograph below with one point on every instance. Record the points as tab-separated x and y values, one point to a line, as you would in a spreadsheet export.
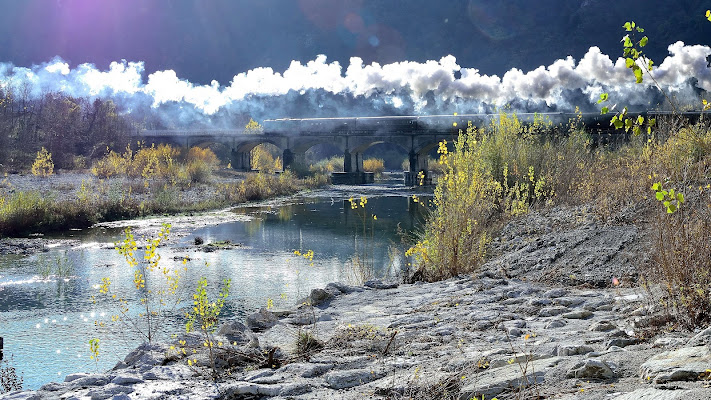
322	89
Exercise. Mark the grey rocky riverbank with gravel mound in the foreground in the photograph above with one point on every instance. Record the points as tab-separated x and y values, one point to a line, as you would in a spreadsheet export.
541	320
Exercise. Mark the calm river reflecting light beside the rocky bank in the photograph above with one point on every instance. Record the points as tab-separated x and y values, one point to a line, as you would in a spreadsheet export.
48	320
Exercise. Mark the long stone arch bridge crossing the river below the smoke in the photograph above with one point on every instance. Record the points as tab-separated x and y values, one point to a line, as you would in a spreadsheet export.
417	135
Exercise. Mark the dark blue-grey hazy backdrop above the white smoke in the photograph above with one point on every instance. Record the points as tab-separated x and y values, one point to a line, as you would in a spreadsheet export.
204	40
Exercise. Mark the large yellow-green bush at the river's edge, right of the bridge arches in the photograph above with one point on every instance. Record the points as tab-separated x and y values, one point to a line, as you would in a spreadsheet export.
492	173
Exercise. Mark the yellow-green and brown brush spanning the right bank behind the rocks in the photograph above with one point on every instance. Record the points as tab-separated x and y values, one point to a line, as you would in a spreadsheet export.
485	183
